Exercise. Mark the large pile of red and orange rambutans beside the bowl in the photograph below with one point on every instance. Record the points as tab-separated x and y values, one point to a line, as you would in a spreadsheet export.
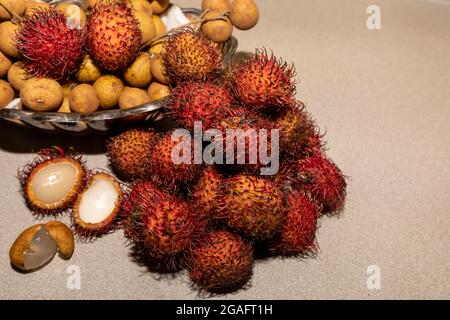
211	217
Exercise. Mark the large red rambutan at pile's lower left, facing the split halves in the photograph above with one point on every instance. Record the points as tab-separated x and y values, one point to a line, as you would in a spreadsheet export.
161	224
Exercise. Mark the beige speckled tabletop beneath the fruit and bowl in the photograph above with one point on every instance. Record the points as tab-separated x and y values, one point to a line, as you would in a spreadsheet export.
383	97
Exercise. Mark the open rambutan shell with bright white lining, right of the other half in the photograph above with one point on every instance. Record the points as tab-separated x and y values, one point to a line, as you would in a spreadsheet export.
97	207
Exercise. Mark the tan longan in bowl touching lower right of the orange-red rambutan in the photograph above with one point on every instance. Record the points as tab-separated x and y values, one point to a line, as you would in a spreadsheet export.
138	73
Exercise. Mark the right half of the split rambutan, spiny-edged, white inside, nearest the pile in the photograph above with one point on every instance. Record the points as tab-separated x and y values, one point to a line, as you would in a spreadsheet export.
91	230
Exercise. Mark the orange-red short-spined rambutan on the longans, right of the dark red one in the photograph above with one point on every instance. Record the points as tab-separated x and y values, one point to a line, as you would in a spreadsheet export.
114	36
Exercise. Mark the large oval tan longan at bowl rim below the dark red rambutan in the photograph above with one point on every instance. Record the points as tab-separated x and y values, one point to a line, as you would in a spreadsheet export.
41	94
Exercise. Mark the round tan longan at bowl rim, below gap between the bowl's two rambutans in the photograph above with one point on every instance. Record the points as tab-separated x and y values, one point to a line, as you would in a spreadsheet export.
83	99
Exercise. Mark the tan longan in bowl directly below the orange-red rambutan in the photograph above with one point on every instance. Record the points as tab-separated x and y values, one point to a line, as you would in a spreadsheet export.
108	89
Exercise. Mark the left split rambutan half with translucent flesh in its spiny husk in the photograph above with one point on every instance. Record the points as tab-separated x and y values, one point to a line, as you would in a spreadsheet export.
44	159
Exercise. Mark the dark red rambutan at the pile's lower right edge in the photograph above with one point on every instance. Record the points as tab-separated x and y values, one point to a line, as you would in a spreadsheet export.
298	233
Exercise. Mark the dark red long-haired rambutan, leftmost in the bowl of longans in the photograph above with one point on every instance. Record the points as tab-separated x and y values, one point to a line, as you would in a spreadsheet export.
48	45
